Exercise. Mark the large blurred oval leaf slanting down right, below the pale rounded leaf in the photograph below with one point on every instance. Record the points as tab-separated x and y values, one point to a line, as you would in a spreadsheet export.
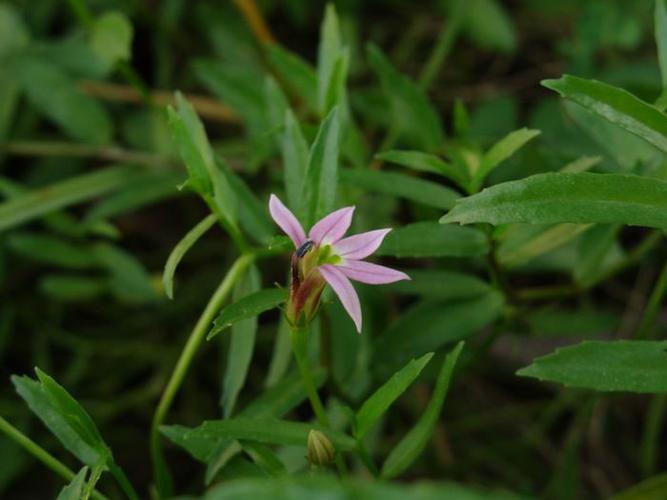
58	97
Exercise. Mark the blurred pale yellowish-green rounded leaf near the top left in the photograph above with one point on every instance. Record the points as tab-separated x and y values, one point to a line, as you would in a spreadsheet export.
111	38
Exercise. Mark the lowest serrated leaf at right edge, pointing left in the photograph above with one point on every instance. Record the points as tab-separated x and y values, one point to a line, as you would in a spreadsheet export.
618	365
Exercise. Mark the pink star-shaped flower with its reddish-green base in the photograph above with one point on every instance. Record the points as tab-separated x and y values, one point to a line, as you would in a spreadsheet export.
325	255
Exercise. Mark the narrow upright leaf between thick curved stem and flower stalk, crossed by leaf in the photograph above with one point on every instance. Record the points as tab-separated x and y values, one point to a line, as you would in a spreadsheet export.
241	346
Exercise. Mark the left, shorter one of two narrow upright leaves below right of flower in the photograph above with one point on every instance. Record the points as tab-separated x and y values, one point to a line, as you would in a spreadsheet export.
378	403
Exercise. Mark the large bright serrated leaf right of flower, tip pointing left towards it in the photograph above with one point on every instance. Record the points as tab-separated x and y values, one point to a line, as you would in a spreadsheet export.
568	197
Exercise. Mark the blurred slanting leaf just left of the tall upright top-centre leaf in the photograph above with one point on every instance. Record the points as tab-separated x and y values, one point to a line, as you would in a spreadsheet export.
297	74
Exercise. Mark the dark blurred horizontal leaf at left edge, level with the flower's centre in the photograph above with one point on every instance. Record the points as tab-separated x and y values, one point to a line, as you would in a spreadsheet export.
51	250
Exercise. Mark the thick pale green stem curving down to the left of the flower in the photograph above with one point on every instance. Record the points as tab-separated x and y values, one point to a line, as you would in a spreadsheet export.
162	477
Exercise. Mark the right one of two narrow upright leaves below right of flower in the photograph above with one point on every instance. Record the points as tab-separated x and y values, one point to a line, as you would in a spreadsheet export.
414	442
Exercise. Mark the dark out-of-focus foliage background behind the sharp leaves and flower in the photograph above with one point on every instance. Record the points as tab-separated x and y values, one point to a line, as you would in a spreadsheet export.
86	150
